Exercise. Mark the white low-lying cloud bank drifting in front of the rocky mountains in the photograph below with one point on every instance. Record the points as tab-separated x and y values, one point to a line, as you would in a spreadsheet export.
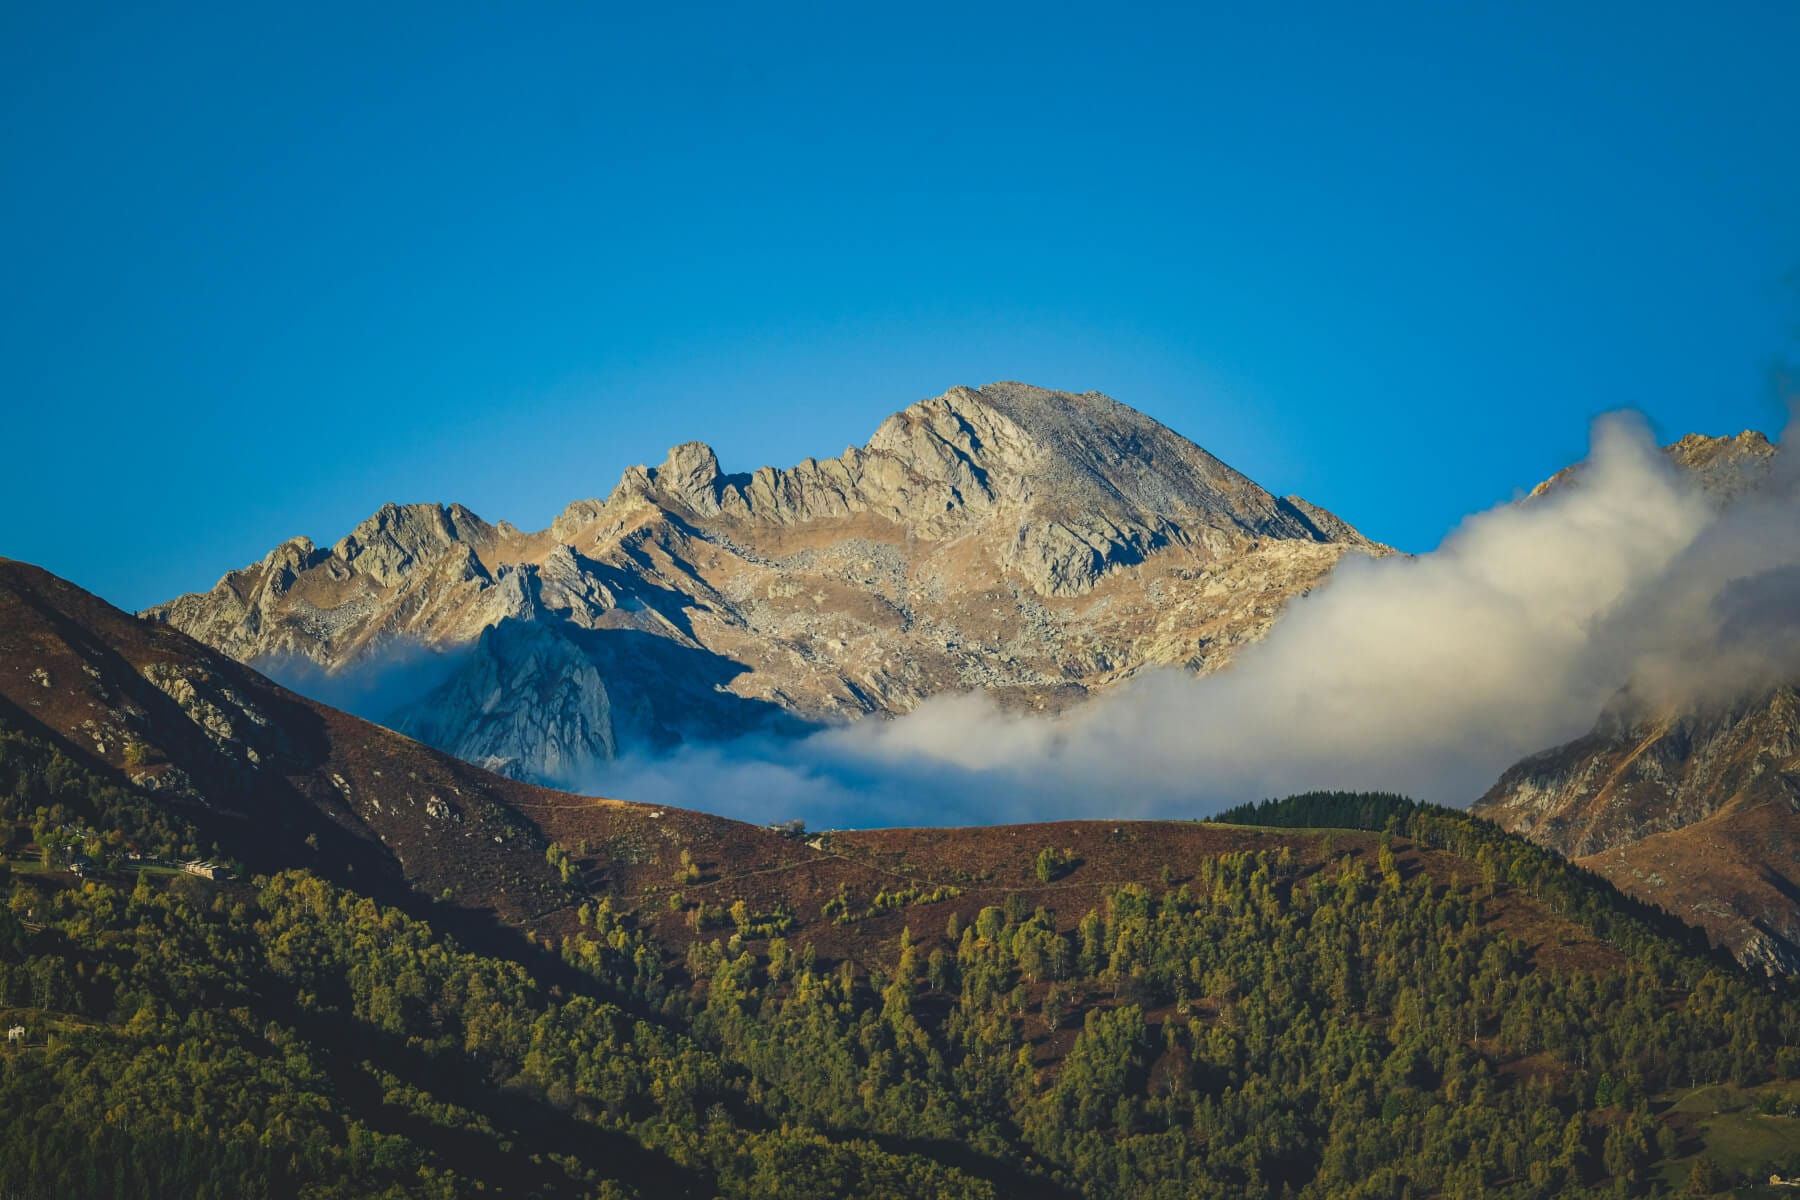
1425	676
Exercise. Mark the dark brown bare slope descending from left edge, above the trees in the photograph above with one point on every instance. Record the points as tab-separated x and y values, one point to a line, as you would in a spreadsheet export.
273	778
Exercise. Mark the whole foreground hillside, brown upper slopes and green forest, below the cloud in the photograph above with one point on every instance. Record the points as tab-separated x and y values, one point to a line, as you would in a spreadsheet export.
444	981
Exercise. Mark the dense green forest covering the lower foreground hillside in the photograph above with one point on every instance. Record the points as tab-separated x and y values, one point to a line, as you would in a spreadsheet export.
1268	1025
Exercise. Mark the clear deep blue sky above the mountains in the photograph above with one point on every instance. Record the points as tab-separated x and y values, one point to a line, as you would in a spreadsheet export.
264	269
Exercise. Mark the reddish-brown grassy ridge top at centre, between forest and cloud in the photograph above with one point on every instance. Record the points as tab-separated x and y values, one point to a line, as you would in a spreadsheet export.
638	859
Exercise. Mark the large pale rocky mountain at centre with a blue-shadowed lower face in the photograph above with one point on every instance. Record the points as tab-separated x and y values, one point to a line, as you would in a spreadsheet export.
1036	544
